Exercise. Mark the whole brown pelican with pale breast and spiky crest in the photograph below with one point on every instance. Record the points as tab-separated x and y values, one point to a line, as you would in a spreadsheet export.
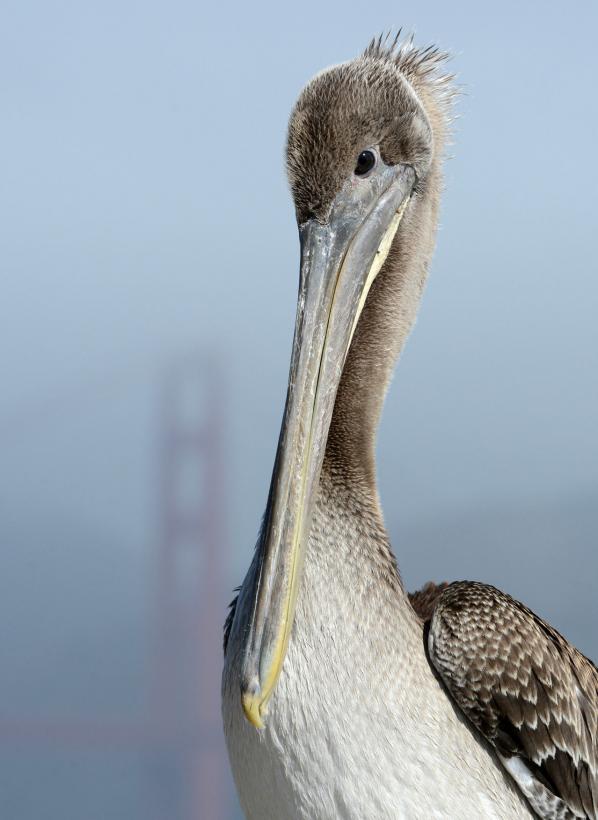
344	697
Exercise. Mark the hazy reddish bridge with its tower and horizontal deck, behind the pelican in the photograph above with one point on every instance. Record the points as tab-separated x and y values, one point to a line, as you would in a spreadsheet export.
181	731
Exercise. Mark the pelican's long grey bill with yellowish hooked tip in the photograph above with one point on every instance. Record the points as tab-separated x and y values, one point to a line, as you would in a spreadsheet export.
339	261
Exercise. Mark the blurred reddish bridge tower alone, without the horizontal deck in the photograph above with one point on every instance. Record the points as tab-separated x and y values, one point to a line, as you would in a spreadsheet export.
190	591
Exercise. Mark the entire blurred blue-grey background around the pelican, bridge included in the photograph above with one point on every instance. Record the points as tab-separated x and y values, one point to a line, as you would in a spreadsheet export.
149	260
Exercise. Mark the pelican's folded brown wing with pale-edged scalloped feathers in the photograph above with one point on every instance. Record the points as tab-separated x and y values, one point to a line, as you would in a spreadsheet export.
528	691
